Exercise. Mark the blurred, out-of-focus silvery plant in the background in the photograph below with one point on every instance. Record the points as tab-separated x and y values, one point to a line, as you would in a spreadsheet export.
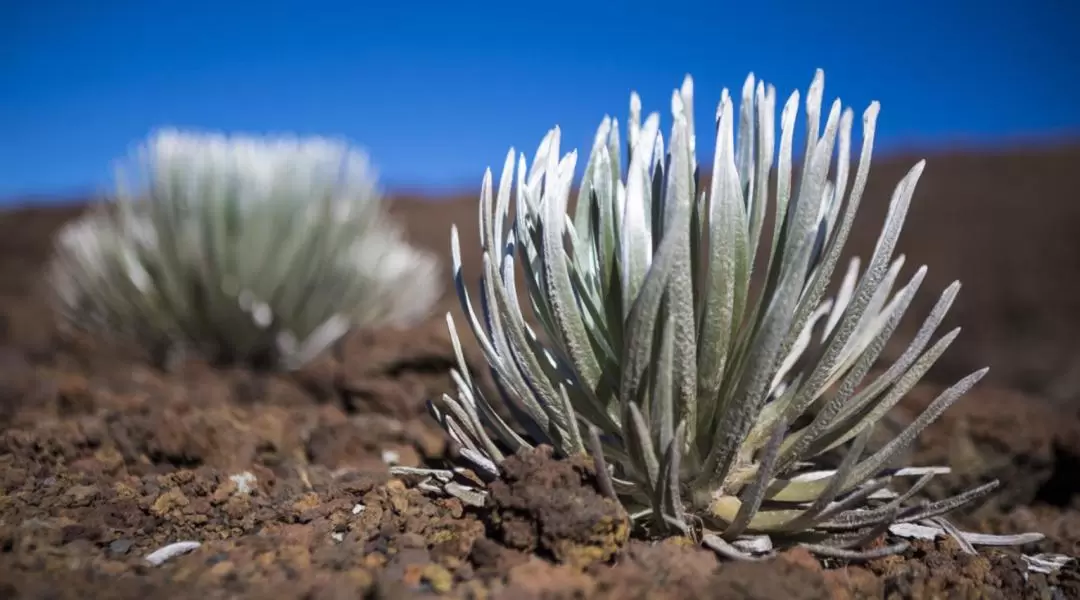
241	250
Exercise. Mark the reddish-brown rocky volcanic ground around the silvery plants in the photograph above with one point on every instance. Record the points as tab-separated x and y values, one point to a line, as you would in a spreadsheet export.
104	460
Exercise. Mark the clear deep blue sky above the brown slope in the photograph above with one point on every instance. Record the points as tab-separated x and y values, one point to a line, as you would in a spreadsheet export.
439	91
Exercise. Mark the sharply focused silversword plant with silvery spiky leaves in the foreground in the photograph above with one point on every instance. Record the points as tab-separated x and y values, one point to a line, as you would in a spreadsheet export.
708	404
